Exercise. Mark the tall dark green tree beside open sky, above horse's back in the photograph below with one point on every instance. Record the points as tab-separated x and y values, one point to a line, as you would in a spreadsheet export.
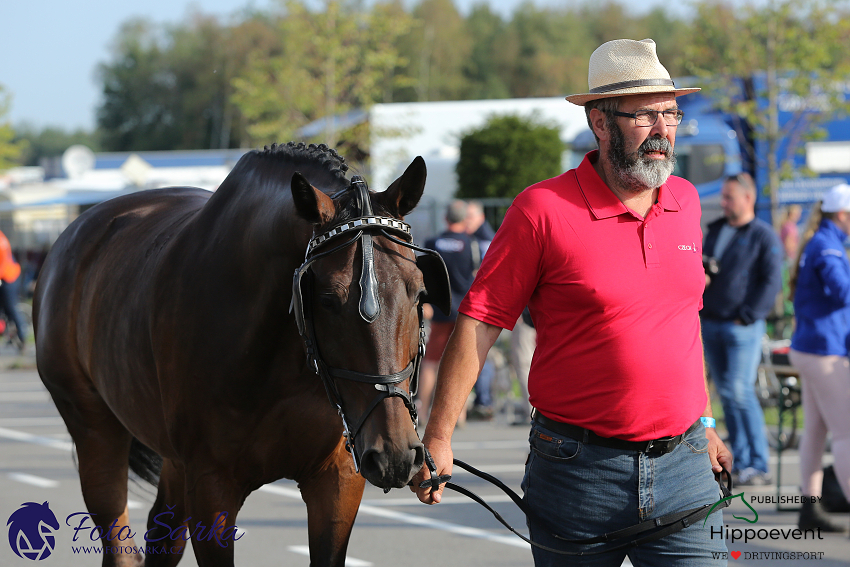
170	87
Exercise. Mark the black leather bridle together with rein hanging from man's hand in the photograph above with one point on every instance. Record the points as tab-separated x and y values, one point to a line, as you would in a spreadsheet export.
369	307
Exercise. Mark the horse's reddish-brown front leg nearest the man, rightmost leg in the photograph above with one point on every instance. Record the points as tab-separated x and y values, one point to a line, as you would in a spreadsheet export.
332	497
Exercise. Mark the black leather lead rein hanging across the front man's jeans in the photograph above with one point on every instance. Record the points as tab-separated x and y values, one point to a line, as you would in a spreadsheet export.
663	526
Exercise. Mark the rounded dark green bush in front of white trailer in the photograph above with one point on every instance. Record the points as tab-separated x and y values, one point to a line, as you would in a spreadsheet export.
506	155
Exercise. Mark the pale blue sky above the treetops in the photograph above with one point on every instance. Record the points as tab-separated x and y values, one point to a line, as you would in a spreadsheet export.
49	49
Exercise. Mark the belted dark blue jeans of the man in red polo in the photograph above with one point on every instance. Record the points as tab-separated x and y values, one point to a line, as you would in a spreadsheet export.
581	491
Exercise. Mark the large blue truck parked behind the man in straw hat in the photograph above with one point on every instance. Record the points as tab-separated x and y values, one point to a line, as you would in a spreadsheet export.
712	145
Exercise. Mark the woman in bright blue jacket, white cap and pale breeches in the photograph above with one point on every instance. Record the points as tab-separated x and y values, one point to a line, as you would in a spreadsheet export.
819	347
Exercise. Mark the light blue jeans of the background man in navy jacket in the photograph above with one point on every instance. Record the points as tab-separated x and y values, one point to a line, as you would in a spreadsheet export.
733	353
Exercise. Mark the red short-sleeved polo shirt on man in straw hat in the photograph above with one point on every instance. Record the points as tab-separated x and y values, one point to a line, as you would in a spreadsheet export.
614	298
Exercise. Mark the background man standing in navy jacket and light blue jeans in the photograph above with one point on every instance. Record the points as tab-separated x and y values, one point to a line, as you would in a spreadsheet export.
736	302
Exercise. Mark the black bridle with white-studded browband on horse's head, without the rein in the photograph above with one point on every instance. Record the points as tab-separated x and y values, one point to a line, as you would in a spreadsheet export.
359	229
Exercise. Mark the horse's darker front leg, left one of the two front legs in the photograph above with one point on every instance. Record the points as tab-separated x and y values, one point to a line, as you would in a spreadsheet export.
214	499
